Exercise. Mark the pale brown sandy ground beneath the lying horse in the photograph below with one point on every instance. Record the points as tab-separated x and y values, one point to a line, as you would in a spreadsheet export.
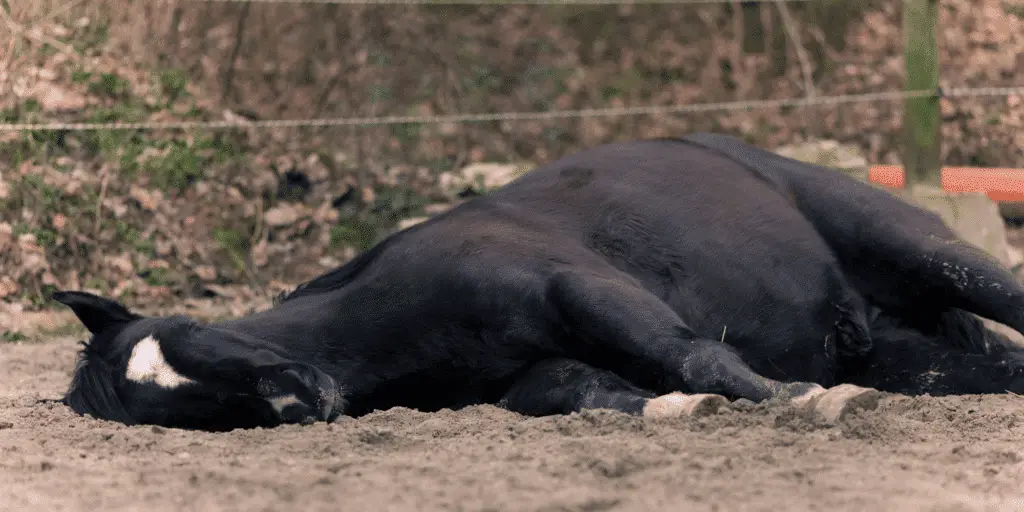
953	454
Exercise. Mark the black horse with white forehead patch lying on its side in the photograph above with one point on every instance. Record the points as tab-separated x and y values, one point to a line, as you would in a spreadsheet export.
653	277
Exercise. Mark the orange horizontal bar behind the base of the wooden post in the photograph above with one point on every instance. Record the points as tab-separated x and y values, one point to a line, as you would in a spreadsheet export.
1001	185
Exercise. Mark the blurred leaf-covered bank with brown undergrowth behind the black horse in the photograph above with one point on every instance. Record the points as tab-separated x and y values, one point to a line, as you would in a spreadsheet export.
172	216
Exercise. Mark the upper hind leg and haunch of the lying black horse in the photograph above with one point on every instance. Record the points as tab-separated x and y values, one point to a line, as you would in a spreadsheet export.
902	257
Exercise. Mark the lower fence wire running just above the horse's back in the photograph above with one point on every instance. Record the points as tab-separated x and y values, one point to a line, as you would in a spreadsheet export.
526	116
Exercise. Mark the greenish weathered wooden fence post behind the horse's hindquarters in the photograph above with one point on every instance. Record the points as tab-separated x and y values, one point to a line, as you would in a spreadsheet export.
922	121
